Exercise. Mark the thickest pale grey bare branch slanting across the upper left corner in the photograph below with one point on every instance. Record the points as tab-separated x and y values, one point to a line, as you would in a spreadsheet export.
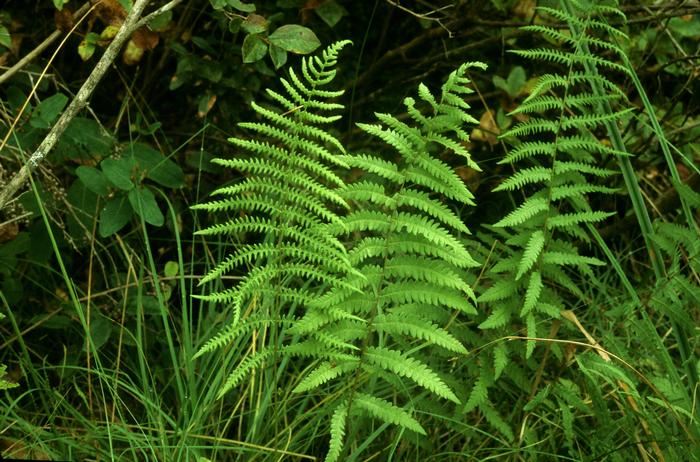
130	24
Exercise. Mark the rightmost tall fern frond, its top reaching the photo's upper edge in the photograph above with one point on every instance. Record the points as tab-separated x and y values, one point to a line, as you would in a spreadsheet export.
559	156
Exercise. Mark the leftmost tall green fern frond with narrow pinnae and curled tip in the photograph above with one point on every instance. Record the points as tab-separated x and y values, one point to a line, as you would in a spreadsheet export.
288	198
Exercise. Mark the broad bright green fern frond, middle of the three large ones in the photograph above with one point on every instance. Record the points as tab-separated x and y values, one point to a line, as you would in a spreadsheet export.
375	339
